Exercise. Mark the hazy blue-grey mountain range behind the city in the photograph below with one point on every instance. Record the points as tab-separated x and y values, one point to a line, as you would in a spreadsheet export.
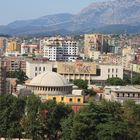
116	16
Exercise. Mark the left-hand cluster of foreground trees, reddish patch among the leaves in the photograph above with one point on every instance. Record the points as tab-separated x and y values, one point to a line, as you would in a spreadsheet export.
30	118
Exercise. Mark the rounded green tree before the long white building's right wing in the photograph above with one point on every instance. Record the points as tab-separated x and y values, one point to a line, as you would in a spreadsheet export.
115	81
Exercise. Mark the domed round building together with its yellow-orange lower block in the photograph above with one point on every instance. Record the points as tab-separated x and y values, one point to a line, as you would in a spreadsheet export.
50	85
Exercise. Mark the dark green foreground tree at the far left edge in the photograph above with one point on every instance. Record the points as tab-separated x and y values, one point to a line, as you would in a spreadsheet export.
11	112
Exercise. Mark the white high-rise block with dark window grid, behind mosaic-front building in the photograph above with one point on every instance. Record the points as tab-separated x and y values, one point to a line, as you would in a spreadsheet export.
58	48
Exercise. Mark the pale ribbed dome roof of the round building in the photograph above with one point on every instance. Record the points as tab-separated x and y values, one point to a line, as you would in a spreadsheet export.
49	79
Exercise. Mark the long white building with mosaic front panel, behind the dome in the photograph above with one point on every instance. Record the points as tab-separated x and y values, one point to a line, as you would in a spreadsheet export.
92	72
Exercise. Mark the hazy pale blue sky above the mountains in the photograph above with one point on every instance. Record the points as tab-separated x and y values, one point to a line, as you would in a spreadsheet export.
11	10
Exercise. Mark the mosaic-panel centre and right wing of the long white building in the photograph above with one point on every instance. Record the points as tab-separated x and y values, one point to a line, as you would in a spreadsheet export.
92	72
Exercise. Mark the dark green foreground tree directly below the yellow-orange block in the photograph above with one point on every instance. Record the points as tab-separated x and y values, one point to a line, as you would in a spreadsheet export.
52	119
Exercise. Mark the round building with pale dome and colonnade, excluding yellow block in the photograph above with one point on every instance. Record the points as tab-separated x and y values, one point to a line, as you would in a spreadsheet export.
49	83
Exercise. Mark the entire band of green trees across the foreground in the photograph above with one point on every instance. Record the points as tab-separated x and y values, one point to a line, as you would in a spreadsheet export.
30	118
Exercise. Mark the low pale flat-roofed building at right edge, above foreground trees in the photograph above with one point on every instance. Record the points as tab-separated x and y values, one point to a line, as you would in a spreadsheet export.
122	93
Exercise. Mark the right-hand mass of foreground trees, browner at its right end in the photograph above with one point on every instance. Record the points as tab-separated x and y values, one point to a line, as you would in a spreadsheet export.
104	121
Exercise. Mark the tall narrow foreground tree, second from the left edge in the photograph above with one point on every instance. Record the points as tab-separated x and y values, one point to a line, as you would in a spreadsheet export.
30	122
